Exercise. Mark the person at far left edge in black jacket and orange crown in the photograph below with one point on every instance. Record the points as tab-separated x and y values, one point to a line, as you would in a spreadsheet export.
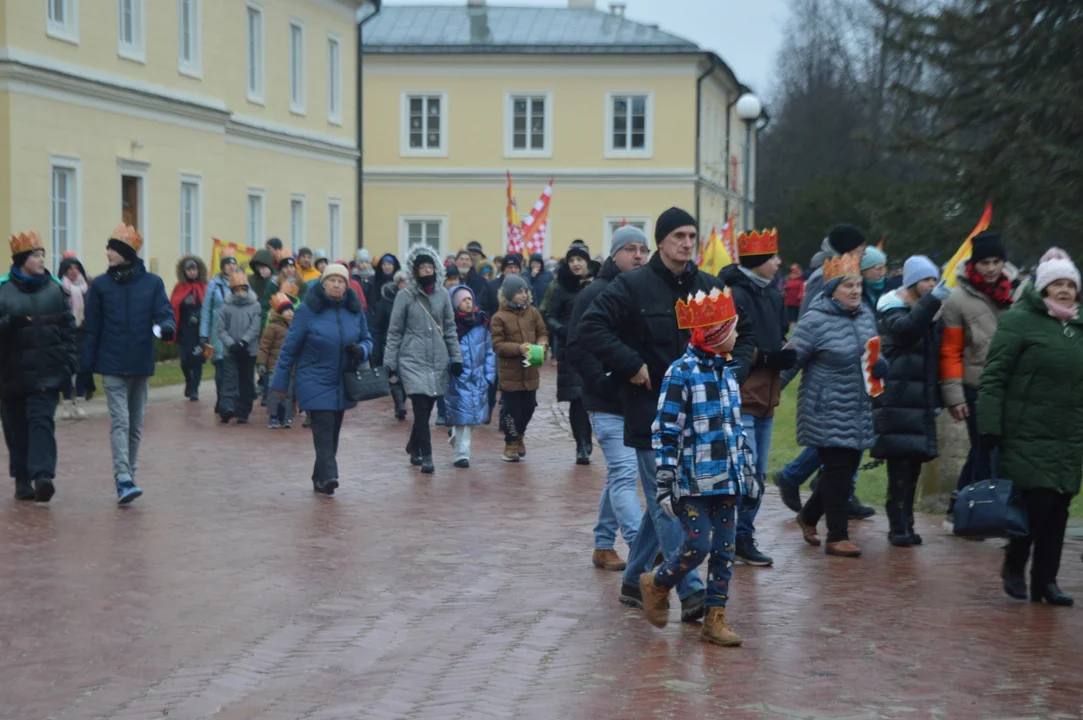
37	355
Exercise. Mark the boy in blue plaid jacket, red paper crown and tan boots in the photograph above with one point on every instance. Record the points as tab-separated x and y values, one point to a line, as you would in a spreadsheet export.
704	464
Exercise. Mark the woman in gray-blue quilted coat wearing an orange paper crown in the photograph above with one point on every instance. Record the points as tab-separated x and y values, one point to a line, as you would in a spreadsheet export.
834	410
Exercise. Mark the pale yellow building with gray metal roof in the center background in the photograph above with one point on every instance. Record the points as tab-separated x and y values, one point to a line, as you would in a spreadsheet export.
627	119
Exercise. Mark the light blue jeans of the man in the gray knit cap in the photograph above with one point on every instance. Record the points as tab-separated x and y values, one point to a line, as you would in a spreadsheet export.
619	507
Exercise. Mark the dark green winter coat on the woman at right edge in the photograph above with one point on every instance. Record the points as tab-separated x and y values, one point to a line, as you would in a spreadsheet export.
1032	397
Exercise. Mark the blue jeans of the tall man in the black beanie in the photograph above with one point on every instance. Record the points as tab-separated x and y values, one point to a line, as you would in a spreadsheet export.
657	528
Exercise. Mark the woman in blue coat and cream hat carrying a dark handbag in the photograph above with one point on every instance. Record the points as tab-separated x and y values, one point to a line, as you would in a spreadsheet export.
329	337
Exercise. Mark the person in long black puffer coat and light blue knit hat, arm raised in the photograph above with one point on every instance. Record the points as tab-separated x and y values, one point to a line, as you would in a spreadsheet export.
905	416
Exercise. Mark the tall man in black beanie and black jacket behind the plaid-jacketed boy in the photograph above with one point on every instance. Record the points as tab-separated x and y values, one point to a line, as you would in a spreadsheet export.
632	330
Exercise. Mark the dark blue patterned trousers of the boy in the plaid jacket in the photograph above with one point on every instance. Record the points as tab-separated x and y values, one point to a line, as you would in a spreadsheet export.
709	527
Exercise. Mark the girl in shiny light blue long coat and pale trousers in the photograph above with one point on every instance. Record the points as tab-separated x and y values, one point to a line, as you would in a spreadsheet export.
467	397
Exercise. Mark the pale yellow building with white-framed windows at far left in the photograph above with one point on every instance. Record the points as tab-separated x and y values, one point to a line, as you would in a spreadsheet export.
190	120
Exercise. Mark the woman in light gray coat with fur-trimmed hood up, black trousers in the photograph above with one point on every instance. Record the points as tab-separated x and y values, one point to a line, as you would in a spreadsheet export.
423	347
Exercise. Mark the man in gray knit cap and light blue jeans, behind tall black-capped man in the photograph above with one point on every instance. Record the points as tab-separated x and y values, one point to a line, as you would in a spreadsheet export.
619	507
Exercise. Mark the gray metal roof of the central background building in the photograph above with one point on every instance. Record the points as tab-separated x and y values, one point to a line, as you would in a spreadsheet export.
494	30
